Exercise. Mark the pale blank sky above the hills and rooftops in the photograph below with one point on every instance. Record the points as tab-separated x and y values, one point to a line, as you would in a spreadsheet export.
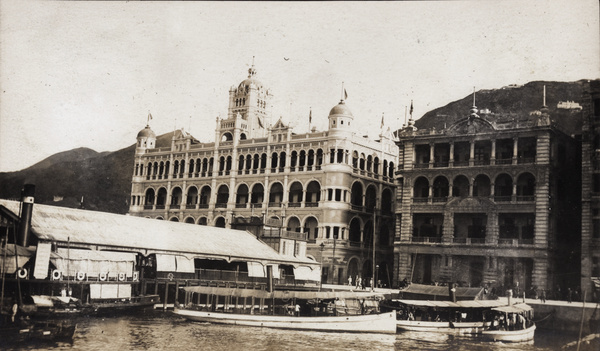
76	74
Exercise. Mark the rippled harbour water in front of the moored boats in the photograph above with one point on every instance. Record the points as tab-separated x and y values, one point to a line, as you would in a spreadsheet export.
155	330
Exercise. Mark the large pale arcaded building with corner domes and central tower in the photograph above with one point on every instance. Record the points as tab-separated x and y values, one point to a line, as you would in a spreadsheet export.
324	192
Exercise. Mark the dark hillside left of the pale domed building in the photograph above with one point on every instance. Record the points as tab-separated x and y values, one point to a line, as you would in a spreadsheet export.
102	179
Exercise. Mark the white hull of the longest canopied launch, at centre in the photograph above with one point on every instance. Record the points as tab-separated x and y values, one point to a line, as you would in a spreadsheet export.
369	323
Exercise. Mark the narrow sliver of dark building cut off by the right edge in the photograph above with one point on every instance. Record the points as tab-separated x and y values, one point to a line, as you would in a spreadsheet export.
590	186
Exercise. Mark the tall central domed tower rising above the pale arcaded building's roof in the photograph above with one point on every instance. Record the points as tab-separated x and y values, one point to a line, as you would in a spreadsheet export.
250	101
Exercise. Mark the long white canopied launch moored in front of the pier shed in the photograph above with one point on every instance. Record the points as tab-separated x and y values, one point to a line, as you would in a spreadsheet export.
299	310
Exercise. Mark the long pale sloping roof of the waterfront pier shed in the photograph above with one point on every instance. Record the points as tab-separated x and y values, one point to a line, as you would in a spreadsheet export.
50	223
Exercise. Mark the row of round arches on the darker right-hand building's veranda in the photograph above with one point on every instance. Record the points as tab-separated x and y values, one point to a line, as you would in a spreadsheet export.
503	188
